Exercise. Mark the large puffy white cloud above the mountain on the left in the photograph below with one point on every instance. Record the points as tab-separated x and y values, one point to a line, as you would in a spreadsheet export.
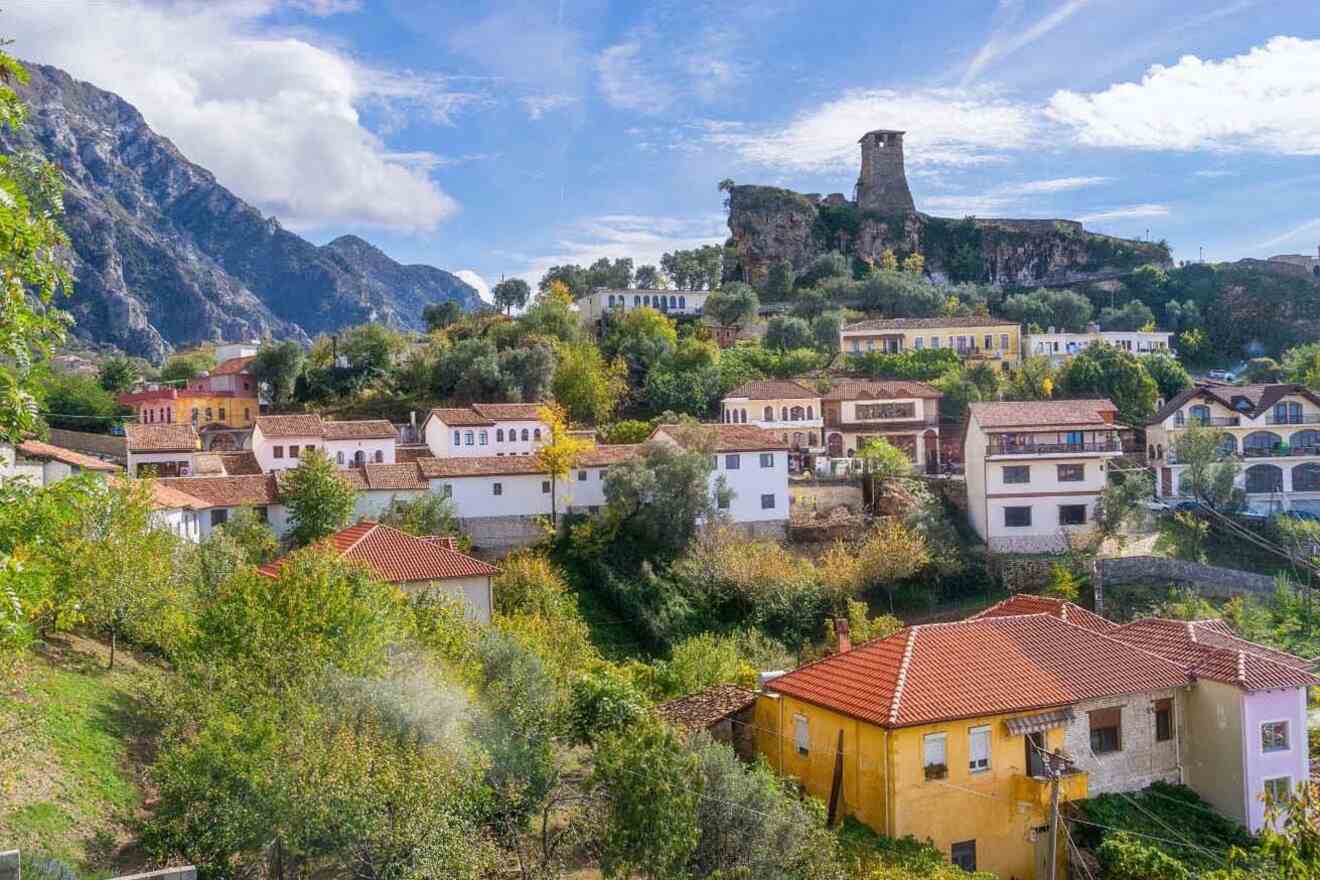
275	117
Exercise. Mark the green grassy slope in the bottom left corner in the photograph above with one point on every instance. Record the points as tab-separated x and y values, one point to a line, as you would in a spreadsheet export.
72	751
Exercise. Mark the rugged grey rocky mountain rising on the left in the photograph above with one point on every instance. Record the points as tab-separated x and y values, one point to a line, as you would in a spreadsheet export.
166	257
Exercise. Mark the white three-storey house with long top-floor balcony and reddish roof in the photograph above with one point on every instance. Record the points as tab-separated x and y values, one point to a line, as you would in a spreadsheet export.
1036	470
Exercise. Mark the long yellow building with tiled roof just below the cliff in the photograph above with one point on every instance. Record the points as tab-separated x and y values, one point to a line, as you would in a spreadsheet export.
973	338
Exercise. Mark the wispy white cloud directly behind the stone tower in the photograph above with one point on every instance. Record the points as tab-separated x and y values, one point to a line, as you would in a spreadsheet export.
946	127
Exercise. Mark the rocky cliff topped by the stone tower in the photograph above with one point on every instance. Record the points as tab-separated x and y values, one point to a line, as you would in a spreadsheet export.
770	225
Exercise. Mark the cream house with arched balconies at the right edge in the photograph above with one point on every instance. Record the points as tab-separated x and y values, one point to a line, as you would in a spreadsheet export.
1273	431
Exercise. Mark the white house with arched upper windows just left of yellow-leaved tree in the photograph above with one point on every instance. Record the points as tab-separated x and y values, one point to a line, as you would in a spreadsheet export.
485	431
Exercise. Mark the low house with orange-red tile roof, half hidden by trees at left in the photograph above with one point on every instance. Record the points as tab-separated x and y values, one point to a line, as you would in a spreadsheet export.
415	565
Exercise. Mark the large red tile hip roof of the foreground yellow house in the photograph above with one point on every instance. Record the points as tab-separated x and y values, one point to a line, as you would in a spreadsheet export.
976	668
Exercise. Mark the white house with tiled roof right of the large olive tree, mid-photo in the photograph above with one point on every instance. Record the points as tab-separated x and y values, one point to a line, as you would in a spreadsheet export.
754	466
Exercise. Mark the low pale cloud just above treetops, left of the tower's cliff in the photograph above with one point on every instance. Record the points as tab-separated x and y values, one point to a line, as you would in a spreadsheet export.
625	236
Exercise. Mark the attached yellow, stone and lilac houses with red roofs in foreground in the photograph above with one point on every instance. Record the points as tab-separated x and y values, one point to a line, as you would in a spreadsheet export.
959	720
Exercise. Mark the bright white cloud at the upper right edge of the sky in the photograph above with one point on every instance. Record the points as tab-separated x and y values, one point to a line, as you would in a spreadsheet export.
1264	100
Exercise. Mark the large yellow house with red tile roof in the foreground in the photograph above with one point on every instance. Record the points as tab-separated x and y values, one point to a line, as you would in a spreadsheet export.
942	732
